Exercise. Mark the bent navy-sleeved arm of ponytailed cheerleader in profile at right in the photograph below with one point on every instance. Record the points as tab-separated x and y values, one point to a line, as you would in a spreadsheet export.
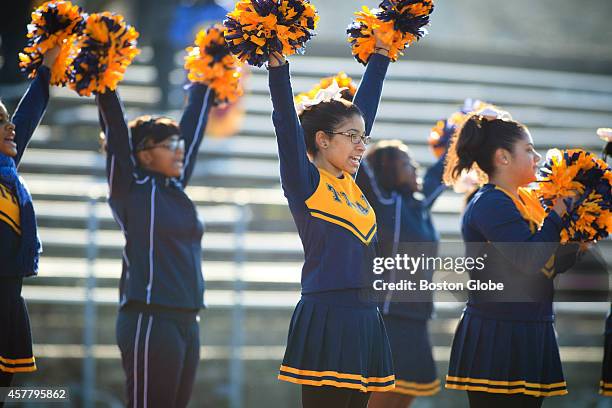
498	219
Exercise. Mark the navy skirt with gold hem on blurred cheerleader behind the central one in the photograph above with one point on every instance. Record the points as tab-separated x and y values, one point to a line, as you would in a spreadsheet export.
415	369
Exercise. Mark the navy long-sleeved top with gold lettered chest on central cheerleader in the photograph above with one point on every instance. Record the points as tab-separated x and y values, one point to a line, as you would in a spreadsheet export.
335	222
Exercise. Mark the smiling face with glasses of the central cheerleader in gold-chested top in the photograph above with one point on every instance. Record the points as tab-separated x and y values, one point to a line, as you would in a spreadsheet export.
337	152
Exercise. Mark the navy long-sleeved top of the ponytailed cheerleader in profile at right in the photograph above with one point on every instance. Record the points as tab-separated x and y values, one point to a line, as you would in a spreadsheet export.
516	255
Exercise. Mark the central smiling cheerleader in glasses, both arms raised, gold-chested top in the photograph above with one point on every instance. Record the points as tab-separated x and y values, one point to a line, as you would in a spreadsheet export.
337	347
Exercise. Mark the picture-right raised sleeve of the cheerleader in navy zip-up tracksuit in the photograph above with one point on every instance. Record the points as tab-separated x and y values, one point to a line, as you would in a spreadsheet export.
193	124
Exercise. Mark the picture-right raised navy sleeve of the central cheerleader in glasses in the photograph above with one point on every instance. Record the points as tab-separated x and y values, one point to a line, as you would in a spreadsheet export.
368	95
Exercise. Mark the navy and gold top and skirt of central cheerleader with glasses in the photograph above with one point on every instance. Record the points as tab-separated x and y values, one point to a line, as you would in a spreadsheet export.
336	336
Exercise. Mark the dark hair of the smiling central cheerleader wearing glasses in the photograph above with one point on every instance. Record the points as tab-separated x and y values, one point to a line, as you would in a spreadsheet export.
325	116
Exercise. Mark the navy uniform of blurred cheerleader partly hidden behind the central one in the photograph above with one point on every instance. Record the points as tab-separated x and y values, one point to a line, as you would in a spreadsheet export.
403	222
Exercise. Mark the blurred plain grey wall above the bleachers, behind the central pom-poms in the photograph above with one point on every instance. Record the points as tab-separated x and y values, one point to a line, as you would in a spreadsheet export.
552	34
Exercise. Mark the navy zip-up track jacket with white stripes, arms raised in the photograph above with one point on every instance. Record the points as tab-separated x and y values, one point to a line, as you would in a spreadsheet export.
162	257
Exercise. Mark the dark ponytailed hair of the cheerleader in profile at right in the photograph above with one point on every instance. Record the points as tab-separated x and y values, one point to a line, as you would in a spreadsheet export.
476	142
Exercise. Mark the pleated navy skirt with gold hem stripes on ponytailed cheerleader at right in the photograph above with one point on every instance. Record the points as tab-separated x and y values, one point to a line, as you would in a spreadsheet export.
505	357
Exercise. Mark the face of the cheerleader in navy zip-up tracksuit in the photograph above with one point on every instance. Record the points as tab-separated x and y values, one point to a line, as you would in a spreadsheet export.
165	157
